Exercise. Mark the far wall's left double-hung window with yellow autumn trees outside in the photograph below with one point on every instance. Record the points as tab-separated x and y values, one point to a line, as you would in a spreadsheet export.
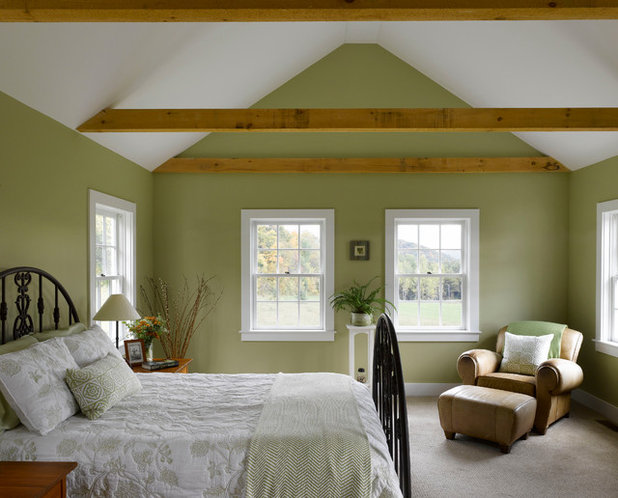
287	274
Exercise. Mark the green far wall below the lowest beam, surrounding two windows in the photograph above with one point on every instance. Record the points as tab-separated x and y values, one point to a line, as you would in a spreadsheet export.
522	260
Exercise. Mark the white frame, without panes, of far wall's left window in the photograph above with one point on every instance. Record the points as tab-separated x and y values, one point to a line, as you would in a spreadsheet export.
249	218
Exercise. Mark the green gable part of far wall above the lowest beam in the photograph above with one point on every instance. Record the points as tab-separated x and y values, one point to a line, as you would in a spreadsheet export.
359	76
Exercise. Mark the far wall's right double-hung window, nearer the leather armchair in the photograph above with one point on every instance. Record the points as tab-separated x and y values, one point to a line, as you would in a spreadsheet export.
432	273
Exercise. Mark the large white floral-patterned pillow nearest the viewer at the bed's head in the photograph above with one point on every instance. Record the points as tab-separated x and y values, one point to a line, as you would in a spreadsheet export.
32	380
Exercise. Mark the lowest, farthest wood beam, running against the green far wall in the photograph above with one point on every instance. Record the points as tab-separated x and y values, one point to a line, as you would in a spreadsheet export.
363	165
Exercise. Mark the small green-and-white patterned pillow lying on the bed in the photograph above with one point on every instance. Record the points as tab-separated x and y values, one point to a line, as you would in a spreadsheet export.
100	385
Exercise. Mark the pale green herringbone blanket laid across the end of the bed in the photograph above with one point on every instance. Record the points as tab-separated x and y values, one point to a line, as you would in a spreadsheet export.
309	441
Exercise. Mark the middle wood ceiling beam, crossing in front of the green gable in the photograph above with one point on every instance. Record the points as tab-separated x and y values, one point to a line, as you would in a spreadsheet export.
353	120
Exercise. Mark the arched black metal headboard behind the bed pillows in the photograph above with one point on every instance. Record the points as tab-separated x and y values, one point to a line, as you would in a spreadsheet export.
21	277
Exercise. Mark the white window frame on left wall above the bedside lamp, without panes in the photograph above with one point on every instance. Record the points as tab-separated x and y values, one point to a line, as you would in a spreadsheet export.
126	212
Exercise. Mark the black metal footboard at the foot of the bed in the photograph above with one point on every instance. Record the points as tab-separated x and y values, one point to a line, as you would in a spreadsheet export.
390	399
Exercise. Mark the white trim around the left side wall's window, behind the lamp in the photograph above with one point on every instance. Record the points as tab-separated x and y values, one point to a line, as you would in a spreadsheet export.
112	203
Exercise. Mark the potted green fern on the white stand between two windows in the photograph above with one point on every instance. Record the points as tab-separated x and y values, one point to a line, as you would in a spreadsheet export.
360	301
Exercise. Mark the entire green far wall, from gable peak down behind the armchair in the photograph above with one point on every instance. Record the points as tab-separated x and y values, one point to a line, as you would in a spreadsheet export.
524	217
